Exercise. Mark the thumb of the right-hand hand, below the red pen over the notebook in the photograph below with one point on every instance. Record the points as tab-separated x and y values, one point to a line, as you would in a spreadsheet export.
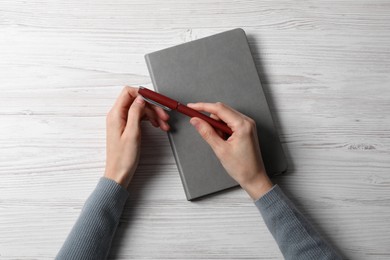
208	133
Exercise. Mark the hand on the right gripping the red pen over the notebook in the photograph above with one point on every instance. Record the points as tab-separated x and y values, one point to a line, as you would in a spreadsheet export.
240	154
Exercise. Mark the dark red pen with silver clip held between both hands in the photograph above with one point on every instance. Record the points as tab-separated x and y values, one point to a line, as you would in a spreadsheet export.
171	104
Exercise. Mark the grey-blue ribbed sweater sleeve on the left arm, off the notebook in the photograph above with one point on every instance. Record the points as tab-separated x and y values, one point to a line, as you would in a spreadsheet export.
91	236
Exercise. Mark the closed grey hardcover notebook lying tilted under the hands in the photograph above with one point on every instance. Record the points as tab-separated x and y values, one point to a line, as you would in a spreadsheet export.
216	68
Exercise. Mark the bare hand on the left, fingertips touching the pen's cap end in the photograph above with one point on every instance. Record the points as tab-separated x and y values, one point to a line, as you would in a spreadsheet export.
124	133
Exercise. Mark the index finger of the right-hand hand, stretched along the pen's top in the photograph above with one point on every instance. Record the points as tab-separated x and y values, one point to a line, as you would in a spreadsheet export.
227	114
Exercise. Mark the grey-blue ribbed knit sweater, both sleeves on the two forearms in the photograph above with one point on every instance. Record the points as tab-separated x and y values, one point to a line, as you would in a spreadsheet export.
92	234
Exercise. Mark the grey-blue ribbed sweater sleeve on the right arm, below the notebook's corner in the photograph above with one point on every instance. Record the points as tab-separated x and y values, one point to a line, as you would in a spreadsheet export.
294	235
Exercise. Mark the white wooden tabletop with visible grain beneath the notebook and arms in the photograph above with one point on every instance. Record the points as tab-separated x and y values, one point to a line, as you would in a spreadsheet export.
325	66
